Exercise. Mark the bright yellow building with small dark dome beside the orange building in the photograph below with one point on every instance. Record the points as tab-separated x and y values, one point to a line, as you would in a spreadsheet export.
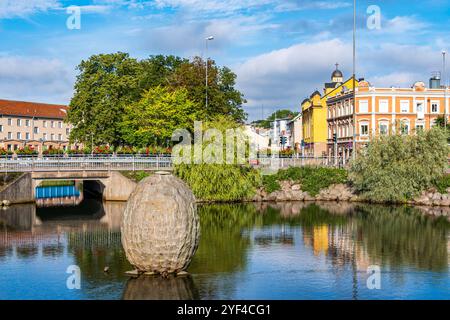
314	110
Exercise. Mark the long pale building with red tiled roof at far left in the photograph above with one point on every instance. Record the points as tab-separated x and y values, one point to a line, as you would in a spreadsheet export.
38	125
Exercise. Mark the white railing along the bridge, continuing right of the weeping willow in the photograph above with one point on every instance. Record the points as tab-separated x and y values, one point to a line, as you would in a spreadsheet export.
140	163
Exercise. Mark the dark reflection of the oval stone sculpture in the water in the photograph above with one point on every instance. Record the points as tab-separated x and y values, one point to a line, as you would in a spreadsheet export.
158	288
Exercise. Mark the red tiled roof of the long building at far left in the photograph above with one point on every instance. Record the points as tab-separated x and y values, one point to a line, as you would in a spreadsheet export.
32	109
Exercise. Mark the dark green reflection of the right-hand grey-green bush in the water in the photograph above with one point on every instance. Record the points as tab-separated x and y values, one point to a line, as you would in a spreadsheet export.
403	236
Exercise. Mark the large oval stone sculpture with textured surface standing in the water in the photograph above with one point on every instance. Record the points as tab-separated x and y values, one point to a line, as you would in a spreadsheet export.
160	226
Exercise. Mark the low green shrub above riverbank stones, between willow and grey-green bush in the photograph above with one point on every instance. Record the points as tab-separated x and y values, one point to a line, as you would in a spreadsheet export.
311	179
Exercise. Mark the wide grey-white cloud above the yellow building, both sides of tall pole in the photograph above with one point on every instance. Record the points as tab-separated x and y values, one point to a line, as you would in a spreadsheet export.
283	78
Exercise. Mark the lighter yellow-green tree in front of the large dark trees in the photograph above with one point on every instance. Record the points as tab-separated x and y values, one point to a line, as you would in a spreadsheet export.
153	119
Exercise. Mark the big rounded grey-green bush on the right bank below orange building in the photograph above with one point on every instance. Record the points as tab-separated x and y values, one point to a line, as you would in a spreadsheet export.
396	168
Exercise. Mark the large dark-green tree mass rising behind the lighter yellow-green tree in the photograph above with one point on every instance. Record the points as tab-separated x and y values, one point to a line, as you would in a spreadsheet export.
108	84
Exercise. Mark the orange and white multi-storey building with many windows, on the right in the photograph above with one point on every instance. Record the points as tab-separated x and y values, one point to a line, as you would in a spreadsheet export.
381	111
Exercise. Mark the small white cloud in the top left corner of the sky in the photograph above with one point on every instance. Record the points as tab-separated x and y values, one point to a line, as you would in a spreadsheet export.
24	8
